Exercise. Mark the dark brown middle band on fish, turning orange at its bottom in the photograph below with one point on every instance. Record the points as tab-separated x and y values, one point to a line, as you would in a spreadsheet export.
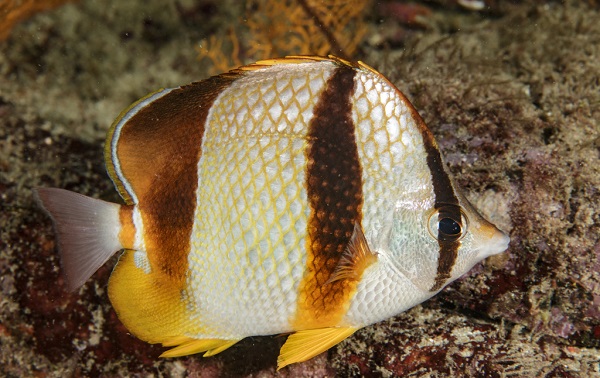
334	191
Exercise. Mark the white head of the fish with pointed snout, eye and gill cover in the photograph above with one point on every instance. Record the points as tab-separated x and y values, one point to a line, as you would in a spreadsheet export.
433	244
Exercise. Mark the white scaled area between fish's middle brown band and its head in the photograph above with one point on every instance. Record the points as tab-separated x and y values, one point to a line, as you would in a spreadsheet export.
395	175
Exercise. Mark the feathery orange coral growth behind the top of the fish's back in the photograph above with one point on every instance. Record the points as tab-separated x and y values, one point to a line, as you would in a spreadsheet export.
290	27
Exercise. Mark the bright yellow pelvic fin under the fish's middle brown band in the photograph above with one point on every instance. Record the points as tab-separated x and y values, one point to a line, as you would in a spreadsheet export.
304	345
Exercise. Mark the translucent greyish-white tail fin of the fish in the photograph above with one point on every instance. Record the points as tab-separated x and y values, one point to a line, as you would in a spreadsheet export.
87	231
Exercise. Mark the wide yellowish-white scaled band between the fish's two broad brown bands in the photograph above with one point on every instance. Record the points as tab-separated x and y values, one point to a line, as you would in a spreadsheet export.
248	240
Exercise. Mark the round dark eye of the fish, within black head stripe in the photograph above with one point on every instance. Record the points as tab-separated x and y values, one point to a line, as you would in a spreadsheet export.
448	223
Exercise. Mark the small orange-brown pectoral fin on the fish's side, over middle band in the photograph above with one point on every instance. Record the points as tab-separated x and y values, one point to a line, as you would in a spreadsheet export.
357	257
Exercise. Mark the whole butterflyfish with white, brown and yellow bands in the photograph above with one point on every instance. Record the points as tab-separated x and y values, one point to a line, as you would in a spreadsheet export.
301	195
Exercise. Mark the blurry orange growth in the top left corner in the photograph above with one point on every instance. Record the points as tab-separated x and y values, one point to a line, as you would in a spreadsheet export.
14	11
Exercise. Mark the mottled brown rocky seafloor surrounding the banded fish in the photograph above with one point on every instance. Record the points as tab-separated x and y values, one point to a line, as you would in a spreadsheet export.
512	94
